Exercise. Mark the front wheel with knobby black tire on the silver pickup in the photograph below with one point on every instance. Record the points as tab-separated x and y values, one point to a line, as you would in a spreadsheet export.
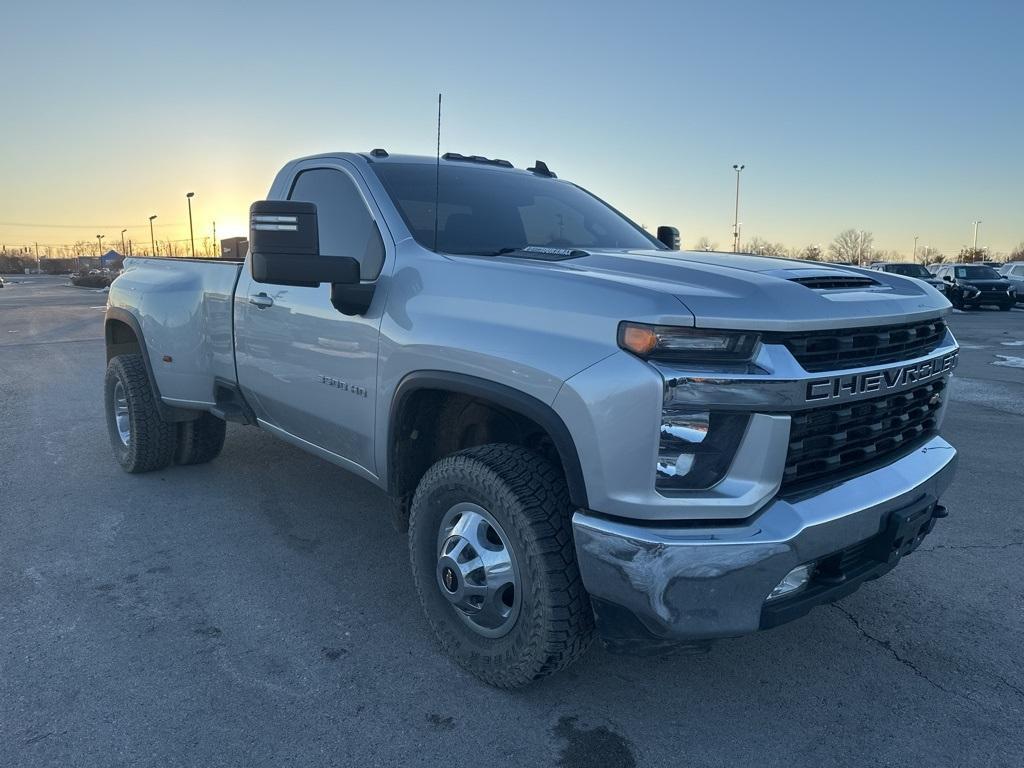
494	563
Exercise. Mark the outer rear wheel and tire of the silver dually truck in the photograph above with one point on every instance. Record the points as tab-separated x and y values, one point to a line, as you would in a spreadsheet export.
143	442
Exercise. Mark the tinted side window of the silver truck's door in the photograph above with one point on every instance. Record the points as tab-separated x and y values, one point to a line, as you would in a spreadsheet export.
347	229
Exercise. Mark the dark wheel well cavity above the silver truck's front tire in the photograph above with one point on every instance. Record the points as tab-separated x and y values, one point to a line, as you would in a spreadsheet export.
432	423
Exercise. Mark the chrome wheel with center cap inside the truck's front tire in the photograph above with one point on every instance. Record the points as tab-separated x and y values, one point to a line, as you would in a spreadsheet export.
478	571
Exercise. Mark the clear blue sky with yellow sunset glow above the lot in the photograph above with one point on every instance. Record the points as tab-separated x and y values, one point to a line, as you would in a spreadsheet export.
901	118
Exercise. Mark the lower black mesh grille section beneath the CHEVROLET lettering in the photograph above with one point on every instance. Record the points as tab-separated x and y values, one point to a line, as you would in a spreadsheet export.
829	444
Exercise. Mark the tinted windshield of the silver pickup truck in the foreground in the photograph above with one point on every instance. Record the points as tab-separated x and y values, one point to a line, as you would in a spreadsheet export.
484	211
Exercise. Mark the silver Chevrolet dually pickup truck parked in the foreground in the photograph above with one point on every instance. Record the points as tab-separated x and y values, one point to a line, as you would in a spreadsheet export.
584	431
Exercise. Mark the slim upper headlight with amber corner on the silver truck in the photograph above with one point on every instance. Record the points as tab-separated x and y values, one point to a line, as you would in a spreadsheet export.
687	345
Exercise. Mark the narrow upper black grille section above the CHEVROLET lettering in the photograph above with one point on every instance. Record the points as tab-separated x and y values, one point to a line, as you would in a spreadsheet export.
861	348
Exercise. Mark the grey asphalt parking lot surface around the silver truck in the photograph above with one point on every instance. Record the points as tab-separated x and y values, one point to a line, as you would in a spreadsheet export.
260	611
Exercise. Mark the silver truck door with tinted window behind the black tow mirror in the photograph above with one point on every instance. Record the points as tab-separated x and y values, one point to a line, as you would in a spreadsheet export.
309	371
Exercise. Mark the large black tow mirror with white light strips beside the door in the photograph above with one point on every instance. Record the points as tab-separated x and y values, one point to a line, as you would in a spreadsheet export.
284	243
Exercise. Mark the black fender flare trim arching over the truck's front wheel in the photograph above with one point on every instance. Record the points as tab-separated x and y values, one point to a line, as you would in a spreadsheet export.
508	398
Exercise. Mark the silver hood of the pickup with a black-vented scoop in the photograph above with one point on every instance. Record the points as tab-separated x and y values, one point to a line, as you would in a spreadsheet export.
758	293
